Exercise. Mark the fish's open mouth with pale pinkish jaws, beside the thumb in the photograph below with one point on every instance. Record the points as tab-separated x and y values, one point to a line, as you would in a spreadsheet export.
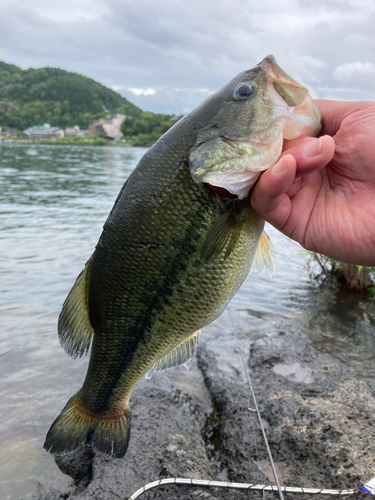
301	113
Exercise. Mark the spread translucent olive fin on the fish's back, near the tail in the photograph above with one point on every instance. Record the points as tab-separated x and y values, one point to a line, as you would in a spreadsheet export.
74	326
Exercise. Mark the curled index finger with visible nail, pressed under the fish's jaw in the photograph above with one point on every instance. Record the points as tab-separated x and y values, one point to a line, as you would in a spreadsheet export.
311	155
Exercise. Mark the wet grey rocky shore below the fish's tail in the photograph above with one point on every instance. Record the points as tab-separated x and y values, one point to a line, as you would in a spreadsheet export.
318	415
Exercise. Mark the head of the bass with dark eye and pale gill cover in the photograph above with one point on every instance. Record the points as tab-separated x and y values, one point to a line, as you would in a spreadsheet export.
248	120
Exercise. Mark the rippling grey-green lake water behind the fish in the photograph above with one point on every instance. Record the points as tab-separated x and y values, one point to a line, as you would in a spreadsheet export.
53	203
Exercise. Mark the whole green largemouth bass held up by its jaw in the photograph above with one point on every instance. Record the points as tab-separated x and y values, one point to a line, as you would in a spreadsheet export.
177	245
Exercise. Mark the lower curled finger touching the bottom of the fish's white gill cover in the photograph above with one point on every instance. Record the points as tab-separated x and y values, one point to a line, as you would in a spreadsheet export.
269	198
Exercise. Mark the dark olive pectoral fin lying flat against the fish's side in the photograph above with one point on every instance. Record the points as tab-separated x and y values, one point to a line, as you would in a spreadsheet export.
226	231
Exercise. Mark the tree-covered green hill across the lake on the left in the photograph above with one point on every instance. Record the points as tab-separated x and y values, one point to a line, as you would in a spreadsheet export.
52	95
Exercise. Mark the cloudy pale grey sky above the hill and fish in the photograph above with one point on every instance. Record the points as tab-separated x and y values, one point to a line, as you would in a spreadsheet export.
168	55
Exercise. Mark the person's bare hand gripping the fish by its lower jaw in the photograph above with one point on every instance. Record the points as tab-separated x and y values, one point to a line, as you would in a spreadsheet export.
321	192
